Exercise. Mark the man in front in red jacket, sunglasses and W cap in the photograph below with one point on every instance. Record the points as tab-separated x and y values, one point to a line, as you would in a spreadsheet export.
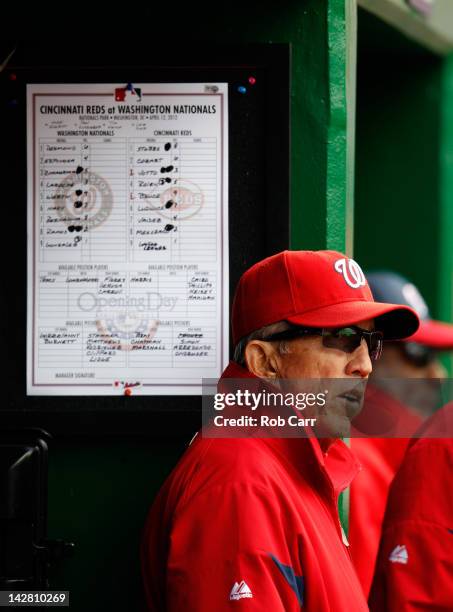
252	523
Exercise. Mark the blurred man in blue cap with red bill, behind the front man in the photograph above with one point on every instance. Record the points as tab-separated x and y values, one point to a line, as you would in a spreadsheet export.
404	386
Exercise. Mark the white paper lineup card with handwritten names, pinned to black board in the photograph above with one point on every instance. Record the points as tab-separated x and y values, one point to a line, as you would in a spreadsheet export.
127	237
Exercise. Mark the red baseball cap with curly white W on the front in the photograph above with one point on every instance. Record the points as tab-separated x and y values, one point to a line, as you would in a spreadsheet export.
316	289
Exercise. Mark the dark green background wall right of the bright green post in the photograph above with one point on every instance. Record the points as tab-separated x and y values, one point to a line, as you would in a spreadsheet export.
398	216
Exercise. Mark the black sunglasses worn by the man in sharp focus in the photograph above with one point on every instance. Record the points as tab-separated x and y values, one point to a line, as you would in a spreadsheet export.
346	339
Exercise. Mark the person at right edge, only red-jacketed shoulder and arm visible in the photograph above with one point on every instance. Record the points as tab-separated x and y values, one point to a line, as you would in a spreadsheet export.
414	570
